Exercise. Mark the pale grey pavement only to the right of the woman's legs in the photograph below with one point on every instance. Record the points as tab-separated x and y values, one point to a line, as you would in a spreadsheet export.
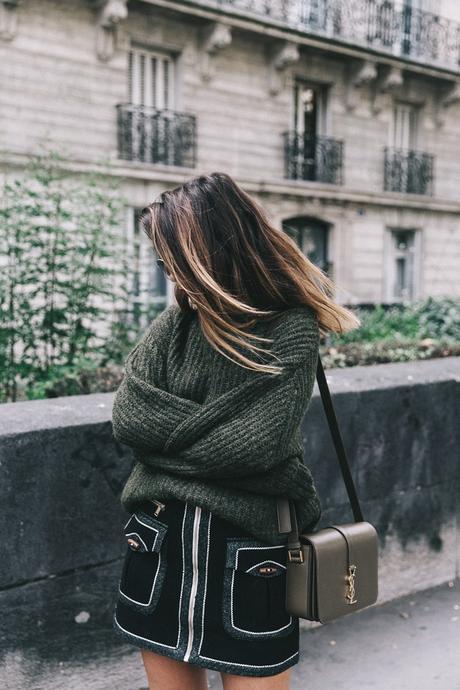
409	644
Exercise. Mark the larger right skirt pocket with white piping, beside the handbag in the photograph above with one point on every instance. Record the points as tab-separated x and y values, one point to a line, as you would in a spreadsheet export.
254	592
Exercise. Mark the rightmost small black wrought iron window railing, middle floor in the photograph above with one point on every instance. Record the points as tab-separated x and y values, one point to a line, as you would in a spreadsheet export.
408	172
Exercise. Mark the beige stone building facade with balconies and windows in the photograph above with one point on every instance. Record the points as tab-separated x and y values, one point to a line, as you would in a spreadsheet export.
342	117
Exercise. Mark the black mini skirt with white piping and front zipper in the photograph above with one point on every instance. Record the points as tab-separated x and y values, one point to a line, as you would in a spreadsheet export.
196	588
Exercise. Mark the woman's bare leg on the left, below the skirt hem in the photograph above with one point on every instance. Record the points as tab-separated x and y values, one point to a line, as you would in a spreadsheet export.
164	673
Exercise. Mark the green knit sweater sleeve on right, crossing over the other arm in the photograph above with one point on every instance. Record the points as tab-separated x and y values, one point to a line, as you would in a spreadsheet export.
247	431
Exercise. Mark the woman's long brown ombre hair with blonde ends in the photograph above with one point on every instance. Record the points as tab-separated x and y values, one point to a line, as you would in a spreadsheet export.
227	258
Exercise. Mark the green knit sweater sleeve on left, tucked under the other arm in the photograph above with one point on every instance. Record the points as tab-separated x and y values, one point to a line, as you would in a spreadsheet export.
144	413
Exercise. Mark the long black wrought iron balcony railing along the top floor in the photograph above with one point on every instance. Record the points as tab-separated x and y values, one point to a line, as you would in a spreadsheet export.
387	26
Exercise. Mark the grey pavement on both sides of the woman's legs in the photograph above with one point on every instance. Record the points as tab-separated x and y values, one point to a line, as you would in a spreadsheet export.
409	644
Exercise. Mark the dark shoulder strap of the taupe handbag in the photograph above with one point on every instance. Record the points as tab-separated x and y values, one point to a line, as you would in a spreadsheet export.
286	515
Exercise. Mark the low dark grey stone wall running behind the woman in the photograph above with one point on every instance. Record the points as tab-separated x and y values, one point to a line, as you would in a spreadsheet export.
61	474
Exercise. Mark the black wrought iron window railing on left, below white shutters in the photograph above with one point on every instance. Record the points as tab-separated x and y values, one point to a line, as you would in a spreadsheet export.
149	135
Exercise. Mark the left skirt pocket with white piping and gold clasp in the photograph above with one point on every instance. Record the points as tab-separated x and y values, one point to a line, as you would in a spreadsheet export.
145	563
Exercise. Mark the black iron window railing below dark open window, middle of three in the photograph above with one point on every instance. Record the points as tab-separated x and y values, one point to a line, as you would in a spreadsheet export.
319	159
